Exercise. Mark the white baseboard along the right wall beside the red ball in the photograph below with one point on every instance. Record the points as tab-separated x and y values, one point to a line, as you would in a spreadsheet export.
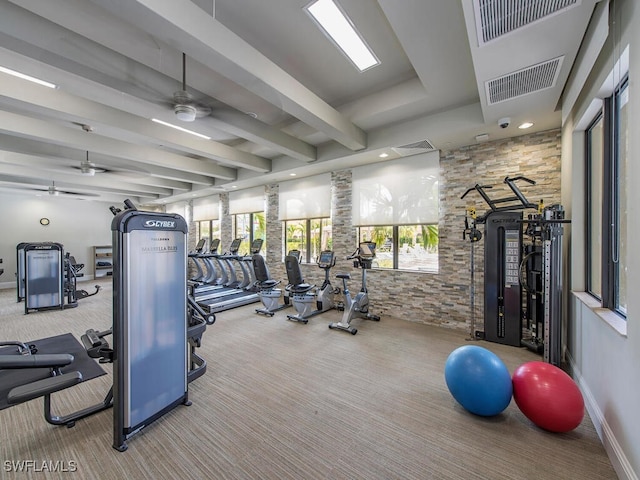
611	445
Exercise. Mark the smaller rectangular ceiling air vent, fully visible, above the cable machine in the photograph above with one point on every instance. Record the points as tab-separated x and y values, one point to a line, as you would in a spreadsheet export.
531	79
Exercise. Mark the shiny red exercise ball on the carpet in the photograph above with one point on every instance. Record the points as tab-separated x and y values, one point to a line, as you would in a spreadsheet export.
547	396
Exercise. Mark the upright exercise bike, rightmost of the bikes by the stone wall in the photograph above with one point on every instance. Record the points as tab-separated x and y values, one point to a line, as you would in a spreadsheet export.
358	306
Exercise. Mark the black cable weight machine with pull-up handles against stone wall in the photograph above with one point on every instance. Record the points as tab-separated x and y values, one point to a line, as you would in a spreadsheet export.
522	279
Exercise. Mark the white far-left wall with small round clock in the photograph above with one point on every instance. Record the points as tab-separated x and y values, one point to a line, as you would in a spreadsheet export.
77	224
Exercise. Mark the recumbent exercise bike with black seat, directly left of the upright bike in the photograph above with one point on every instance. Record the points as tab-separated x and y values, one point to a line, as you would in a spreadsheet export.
303	294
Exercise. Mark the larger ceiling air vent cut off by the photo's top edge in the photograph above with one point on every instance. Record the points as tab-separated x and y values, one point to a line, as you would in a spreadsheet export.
495	18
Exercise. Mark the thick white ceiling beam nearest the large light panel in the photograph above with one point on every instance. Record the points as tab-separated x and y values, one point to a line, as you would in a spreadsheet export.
211	43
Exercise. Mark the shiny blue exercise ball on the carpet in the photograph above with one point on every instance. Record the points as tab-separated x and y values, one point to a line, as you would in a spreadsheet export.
478	380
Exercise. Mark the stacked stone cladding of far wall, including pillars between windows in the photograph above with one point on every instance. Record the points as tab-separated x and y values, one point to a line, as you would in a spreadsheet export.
441	298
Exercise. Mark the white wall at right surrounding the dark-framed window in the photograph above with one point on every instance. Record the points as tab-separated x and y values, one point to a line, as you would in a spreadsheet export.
604	350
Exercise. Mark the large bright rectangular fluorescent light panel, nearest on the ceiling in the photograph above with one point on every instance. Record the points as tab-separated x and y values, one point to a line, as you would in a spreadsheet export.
340	29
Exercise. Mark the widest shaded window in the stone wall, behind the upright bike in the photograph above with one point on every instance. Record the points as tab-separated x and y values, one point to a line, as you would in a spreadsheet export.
395	205
